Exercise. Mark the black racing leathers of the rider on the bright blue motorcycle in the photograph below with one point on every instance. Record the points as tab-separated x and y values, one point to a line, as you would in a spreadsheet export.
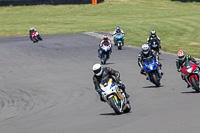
151	54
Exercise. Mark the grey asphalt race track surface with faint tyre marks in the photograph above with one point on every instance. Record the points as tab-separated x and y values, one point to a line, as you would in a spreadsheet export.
47	88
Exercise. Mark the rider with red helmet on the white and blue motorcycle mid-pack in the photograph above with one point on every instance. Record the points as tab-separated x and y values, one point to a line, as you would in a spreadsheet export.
106	42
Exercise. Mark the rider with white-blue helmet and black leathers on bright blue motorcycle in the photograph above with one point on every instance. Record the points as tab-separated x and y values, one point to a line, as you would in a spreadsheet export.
148	53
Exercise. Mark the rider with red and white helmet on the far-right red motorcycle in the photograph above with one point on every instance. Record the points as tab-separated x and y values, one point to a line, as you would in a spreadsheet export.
179	63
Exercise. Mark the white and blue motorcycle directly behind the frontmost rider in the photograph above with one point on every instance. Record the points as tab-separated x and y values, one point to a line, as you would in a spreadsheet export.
104	54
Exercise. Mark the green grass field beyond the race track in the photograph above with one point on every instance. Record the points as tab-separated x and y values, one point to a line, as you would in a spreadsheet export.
176	23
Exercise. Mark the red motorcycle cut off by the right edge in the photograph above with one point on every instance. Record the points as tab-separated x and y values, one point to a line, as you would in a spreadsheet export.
191	75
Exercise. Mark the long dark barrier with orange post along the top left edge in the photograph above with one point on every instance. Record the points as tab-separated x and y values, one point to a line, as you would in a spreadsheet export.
46	2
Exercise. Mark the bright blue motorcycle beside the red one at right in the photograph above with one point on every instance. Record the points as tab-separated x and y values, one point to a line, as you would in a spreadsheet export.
152	71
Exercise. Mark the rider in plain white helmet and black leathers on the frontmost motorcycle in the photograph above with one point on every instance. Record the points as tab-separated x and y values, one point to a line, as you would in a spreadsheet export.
101	73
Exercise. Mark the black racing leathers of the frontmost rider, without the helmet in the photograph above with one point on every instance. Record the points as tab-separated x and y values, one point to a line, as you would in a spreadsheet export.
108	73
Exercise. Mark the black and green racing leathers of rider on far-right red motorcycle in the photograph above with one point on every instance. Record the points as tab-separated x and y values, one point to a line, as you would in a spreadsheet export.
179	65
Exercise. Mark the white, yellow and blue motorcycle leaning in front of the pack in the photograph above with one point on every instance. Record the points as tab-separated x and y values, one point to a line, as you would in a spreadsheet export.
114	96
